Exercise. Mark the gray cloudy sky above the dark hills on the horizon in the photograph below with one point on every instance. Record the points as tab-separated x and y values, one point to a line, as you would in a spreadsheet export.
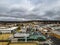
29	9
